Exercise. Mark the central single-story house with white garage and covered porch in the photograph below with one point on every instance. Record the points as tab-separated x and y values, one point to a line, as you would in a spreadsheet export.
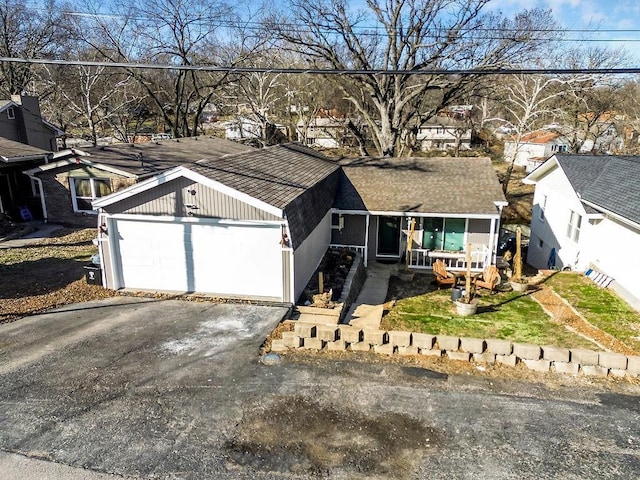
256	225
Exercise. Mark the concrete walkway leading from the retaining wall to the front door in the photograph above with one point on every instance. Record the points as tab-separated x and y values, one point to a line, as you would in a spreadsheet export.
367	310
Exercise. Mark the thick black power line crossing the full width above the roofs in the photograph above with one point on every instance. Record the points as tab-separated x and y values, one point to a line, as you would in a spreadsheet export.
320	71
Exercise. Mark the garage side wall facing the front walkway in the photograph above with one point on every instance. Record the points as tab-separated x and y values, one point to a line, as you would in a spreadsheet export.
308	255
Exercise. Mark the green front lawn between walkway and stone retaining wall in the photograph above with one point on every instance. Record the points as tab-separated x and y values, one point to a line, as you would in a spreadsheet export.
505	315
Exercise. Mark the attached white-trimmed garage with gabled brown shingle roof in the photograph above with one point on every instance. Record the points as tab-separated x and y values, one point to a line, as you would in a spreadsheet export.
253	225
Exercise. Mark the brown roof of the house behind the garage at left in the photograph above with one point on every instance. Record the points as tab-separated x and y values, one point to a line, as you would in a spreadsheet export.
153	157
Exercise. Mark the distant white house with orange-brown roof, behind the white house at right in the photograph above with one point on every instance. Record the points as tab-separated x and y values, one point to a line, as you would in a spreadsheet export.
533	148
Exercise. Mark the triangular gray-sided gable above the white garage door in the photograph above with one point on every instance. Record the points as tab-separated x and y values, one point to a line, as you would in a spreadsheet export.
173	198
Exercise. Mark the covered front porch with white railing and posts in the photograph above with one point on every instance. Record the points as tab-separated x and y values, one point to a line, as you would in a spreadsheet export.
417	239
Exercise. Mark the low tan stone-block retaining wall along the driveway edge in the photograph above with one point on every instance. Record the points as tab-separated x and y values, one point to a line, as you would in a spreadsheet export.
488	351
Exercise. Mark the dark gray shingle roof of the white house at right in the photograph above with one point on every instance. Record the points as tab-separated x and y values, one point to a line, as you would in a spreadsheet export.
610	182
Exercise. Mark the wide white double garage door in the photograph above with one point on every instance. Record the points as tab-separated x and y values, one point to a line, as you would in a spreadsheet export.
224	258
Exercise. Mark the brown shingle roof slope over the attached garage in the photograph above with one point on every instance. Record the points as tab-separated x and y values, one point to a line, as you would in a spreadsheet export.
290	177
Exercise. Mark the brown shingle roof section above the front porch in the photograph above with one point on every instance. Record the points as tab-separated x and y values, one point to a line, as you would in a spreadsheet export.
421	185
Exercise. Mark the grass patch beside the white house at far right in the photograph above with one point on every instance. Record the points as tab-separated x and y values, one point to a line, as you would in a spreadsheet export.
601	307
